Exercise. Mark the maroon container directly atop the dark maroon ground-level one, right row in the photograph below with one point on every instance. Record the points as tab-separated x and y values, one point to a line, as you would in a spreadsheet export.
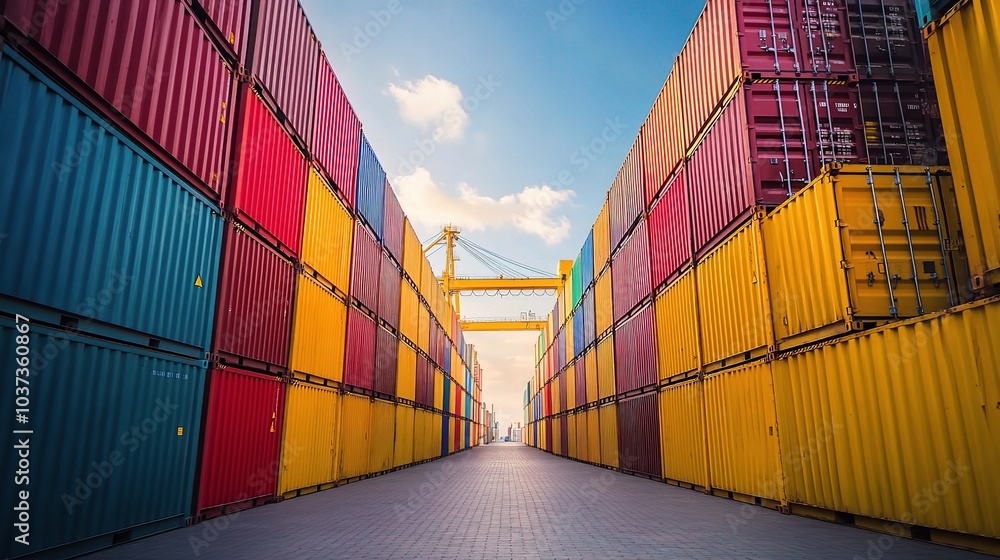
635	352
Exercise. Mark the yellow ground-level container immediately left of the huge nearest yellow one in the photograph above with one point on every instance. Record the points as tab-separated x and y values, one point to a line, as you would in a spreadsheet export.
743	432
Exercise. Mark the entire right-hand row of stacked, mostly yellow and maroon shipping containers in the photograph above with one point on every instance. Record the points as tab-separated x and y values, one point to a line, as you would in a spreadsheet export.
738	331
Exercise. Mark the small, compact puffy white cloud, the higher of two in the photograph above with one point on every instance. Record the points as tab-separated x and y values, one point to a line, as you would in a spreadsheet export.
432	103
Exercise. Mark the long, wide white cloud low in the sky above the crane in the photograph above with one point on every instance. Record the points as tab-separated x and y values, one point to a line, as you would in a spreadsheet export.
531	211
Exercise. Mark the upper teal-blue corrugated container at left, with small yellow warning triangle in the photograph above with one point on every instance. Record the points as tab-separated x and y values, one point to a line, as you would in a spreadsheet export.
54	228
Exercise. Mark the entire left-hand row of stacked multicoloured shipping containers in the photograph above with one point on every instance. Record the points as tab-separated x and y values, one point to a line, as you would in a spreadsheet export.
217	297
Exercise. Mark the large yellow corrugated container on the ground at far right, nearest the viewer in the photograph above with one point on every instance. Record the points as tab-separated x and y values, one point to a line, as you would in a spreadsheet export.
899	423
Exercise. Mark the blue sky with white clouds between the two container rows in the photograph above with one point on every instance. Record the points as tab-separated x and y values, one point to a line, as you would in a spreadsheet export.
508	119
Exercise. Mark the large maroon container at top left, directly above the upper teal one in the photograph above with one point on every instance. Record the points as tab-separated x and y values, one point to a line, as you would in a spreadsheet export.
128	52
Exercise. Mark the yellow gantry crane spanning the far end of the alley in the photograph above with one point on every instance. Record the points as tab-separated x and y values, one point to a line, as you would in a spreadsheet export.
454	285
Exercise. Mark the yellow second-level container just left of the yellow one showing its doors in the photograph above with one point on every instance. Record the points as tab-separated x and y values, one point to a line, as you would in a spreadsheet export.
732	304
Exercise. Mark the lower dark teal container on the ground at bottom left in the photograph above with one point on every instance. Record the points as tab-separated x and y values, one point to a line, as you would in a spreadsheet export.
93	395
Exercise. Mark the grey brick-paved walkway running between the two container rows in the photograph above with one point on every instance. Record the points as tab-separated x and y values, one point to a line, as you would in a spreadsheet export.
512	501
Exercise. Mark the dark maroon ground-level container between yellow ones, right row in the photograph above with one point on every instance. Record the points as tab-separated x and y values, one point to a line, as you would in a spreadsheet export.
639	435
